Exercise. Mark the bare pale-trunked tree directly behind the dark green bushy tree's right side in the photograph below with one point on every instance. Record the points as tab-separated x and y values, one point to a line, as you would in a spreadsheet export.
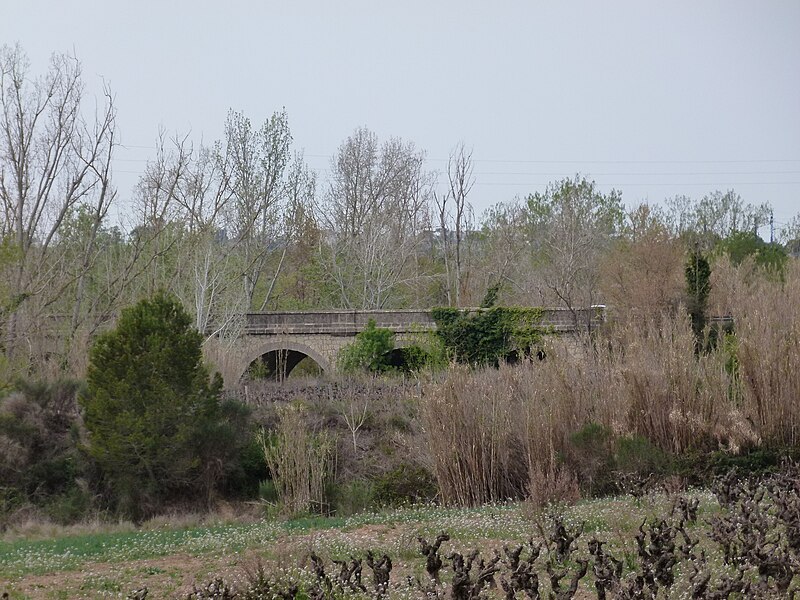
182	201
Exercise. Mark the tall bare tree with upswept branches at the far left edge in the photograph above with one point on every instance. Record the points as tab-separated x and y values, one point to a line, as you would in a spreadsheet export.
53	162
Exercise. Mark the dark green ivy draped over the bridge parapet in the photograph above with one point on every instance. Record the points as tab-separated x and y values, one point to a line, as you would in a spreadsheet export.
489	336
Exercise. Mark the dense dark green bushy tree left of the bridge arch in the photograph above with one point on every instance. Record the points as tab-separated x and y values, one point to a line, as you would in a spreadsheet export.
152	410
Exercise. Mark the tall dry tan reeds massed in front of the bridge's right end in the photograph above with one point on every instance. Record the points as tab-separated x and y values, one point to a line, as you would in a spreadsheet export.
494	432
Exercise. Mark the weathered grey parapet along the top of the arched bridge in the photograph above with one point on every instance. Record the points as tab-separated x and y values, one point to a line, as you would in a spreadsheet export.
351	322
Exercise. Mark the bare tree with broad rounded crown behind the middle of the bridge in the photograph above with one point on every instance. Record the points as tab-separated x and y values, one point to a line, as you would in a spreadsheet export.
376	211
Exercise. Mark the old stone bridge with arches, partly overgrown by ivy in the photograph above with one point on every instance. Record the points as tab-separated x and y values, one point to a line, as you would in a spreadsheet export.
281	340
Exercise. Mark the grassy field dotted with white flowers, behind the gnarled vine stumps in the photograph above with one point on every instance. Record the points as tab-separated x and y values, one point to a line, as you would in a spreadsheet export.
171	560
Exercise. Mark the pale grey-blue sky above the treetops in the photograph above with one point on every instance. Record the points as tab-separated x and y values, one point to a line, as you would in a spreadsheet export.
655	99
